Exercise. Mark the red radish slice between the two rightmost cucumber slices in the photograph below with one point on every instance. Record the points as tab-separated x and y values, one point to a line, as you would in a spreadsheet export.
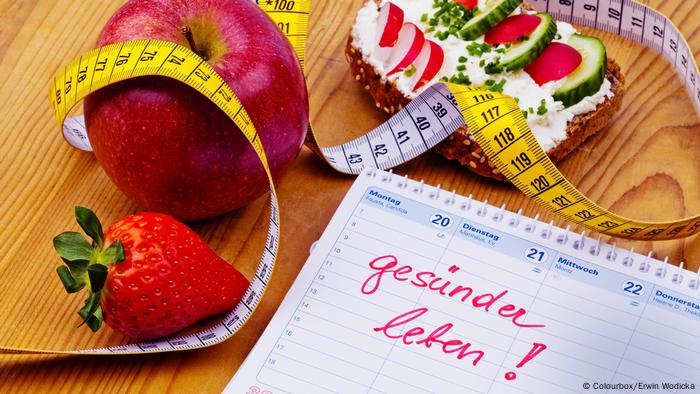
556	61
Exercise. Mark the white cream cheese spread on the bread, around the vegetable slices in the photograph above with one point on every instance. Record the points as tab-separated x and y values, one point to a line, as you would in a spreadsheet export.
549	127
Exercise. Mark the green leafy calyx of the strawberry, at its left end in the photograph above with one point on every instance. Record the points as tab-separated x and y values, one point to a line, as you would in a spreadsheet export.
86	263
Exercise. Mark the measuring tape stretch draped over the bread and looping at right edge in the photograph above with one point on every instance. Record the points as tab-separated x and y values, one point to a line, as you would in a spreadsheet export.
439	111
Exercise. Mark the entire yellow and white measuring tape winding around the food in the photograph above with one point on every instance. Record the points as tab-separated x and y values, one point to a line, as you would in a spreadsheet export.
485	113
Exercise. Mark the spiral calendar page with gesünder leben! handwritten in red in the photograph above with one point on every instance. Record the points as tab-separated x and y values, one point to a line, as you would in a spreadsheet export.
412	289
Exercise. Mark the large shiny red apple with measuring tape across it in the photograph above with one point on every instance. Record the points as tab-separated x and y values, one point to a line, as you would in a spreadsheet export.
167	146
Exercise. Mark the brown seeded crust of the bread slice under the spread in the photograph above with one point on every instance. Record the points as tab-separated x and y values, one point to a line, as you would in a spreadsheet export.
460	146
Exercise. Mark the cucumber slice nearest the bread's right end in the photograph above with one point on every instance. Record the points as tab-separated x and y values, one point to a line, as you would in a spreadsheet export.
587	78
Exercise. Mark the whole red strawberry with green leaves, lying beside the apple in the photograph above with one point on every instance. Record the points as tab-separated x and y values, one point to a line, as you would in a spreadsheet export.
147	276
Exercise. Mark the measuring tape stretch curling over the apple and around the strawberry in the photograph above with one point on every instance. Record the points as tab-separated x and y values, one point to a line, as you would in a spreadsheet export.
113	63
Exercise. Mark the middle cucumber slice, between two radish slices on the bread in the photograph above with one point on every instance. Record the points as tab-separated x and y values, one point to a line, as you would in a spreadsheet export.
523	53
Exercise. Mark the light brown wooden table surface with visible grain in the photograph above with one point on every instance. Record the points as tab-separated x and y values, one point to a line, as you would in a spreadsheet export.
644	165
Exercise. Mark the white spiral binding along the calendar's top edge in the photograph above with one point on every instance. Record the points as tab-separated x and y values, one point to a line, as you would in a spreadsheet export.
604	252
